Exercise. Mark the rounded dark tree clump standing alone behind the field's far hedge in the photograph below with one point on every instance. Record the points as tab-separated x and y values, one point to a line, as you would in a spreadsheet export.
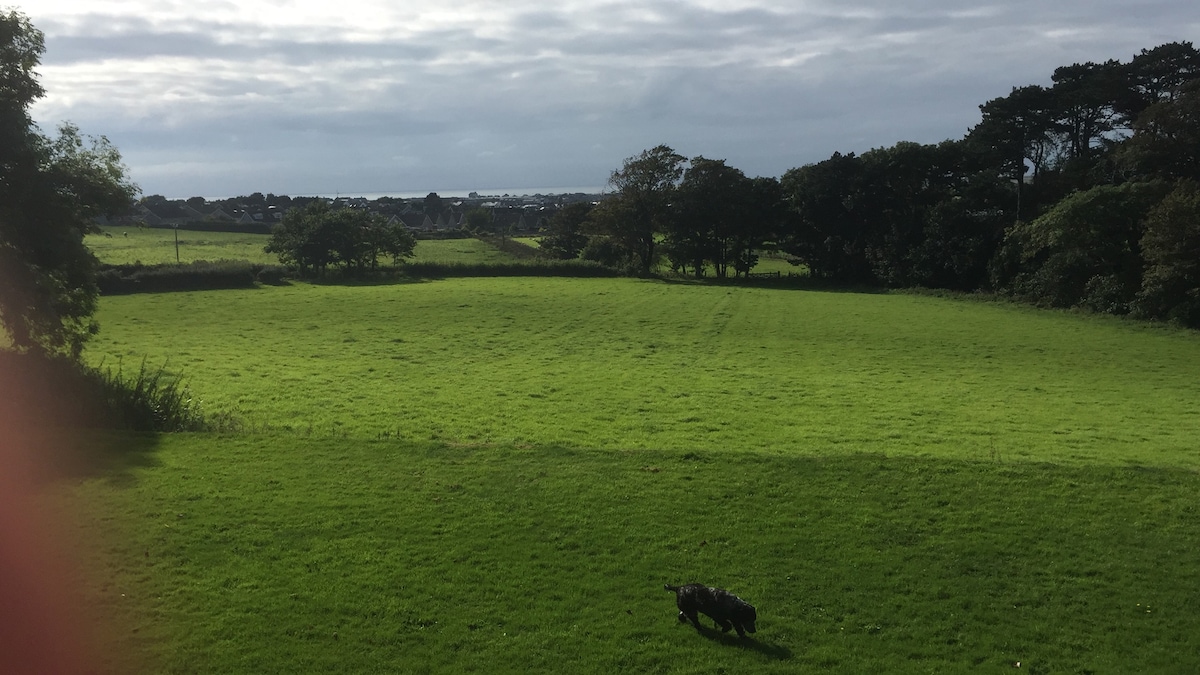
316	237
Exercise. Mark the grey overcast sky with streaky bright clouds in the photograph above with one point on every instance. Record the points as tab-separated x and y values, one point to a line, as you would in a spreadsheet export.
367	97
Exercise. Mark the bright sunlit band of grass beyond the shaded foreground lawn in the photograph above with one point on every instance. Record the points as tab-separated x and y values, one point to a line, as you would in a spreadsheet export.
634	365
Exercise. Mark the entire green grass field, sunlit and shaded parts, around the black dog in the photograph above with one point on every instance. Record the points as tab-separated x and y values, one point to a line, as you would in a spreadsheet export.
500	475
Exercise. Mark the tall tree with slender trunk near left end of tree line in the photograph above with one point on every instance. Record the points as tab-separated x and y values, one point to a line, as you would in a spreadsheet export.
640	207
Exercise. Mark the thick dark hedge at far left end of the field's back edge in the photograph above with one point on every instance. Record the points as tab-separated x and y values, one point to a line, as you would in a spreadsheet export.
201	276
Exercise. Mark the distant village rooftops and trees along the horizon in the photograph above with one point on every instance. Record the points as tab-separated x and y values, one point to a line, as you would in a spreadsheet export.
431	216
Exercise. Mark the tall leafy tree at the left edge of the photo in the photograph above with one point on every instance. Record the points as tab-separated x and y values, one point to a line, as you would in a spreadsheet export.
51	192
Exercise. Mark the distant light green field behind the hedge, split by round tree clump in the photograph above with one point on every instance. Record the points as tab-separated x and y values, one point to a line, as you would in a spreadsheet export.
154	246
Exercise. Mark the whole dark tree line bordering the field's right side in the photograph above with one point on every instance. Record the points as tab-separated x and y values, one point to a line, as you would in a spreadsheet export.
1085	193
